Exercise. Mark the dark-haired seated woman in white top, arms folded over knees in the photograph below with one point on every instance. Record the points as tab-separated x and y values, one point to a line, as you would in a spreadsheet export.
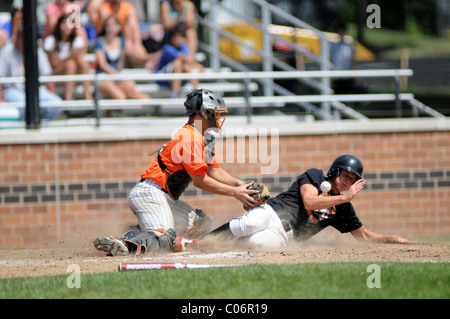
66	51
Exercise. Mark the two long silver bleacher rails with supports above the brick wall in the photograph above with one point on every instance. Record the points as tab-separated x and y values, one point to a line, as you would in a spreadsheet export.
246	102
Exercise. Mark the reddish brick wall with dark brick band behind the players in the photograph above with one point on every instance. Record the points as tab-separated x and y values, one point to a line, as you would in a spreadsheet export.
74	191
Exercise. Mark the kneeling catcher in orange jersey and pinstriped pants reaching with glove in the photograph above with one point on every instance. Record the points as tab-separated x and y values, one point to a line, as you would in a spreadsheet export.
188	157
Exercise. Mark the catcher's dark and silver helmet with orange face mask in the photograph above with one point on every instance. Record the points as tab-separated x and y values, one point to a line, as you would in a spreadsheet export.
208	105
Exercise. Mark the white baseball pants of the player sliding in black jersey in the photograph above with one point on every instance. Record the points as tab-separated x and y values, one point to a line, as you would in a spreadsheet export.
260	228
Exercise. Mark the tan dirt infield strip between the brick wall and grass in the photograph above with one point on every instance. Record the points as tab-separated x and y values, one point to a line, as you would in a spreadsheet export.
320	249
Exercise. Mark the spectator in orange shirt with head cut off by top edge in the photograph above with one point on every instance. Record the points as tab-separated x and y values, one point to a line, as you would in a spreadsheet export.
127	17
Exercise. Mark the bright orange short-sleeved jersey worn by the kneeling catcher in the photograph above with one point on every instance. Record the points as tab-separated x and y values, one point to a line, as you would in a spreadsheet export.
185	151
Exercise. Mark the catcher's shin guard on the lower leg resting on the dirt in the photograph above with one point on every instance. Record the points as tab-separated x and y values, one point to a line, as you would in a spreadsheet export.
140	242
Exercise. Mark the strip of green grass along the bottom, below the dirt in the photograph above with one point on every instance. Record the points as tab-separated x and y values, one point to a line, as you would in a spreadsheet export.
333	280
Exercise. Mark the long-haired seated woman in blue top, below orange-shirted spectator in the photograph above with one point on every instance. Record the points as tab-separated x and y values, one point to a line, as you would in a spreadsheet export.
110	54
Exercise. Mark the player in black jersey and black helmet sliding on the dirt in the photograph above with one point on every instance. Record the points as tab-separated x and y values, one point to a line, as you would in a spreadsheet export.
307	208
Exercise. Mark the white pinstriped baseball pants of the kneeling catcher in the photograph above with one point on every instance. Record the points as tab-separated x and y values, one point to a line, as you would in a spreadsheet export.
155	209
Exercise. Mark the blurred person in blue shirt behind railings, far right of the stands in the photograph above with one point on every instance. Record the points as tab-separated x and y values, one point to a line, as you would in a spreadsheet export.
342	55
